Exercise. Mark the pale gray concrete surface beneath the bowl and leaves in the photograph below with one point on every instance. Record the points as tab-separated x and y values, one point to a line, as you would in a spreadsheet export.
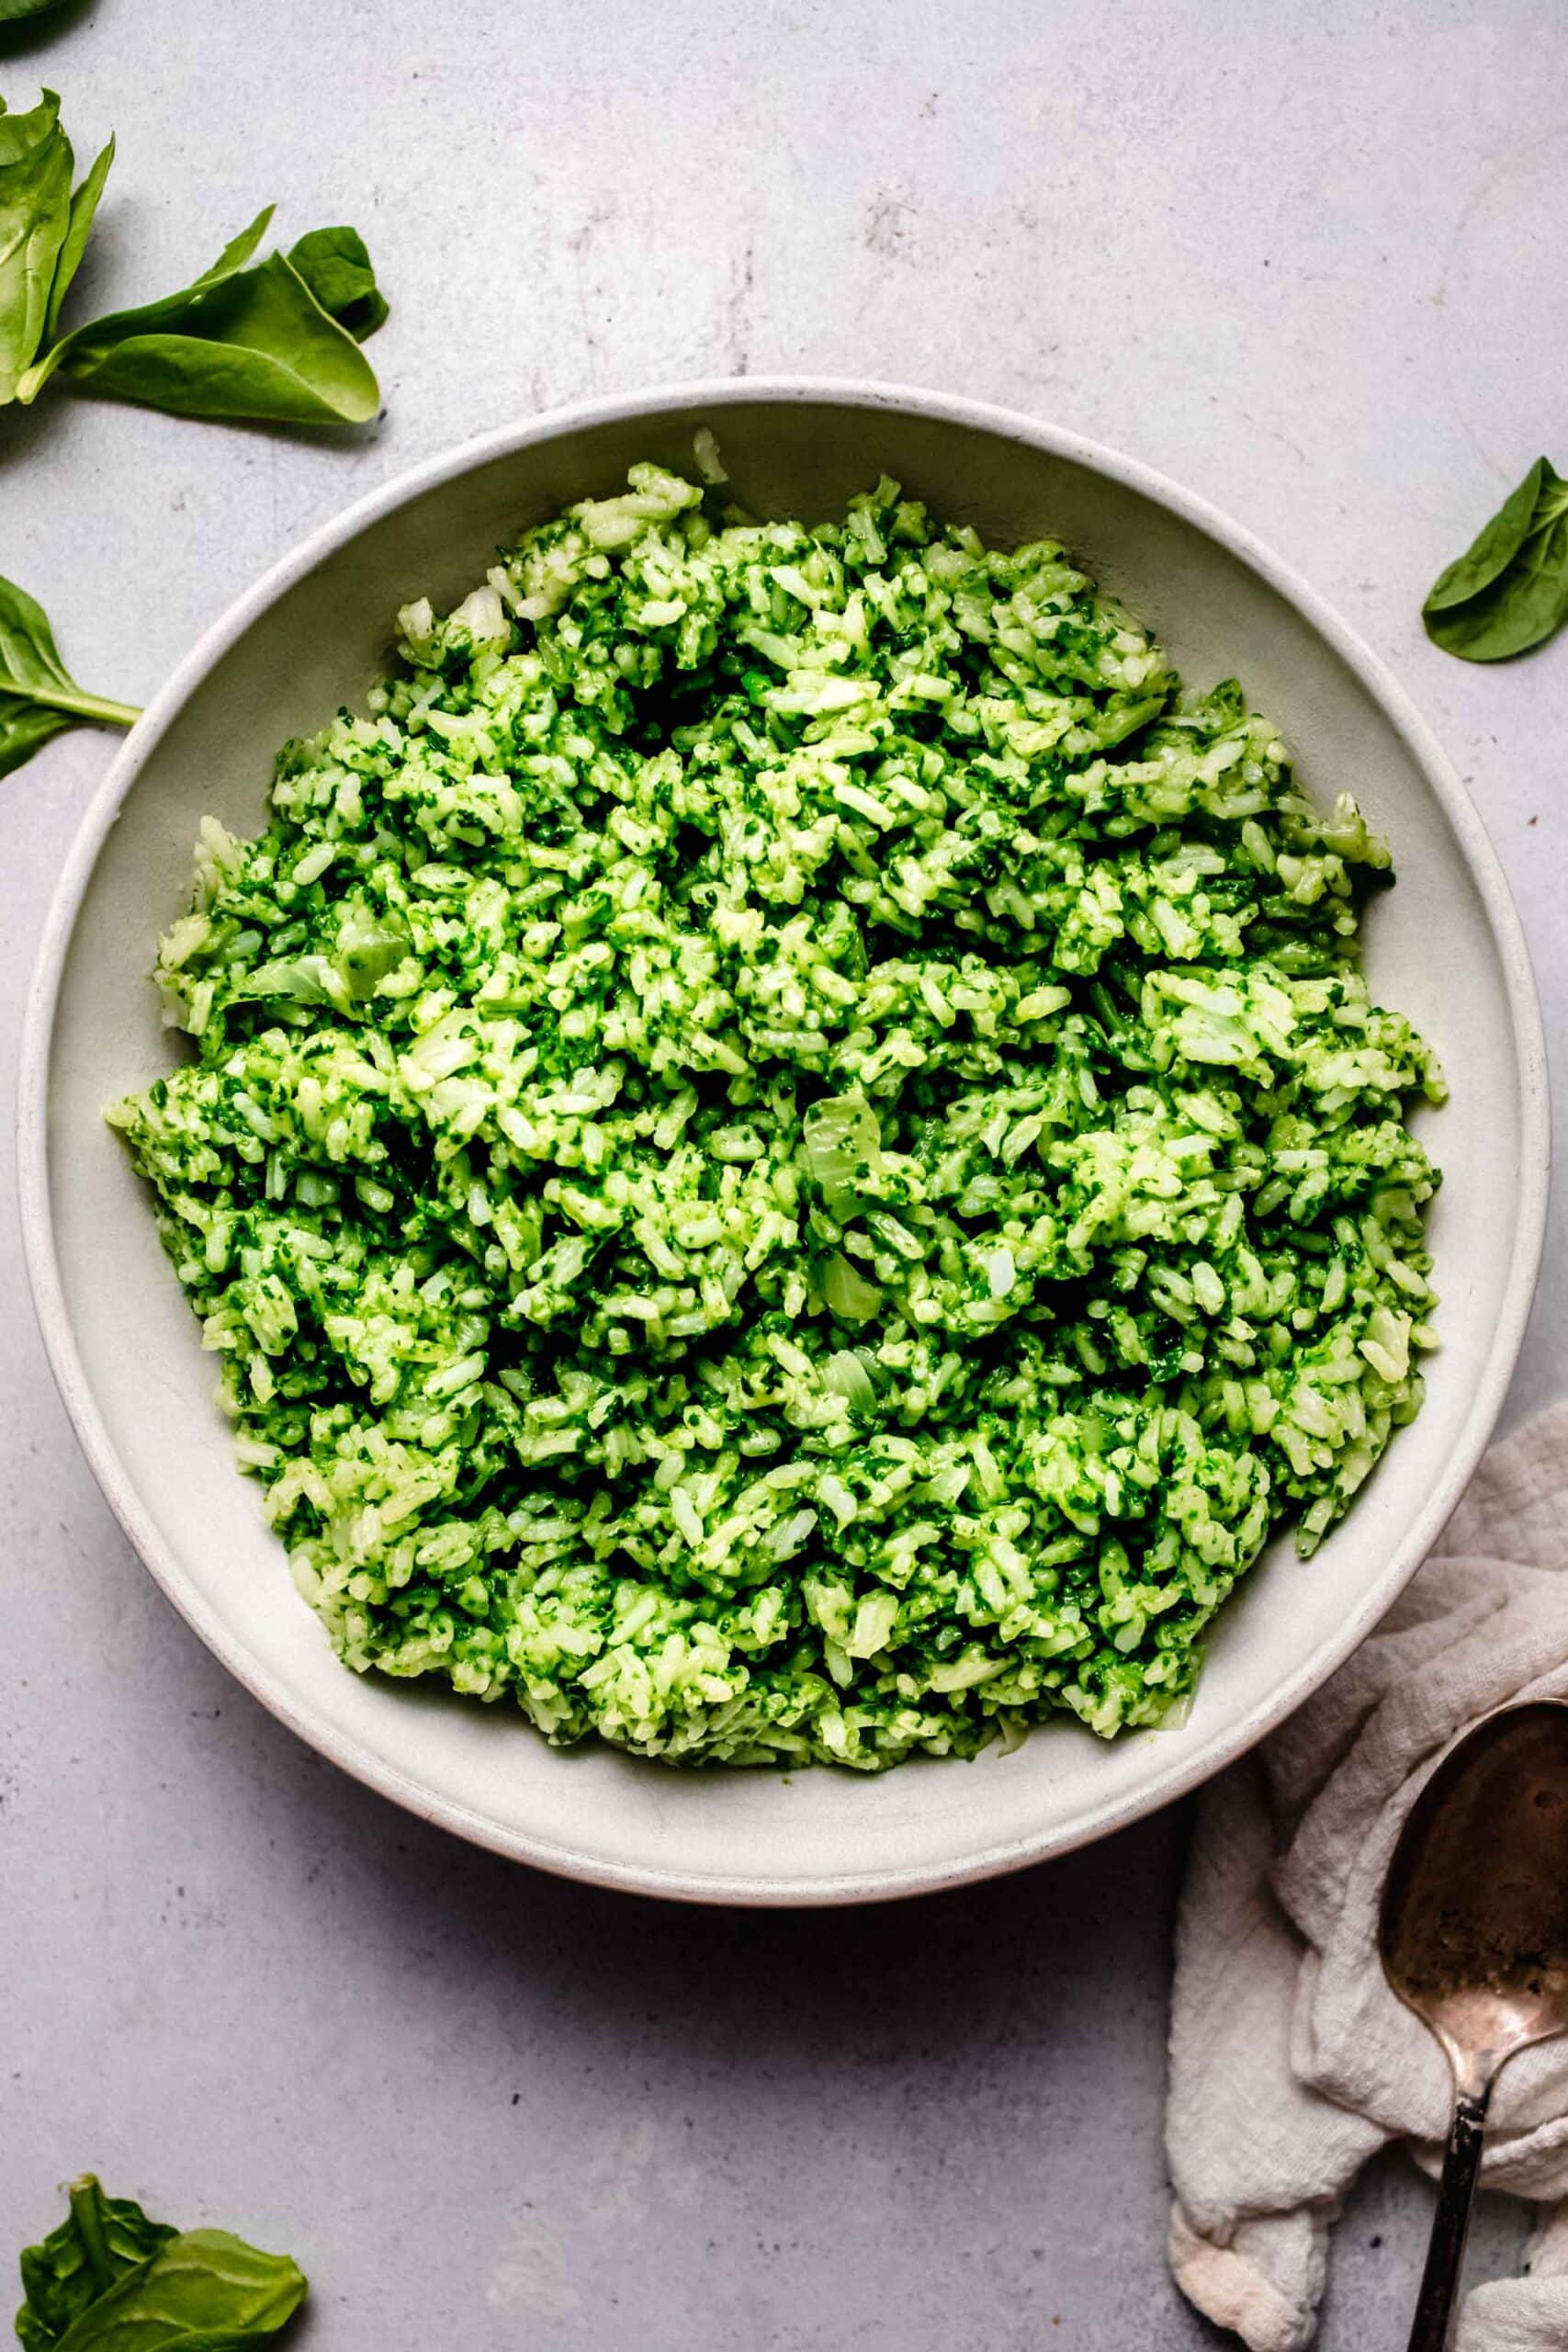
1308	260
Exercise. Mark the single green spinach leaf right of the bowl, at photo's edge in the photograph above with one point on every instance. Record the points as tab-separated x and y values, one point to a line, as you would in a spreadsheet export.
1510	589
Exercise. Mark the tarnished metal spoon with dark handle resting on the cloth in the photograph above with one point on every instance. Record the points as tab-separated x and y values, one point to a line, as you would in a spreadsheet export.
1475	1942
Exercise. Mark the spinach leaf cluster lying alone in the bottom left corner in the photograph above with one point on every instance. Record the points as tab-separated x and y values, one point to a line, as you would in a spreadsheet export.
112	2280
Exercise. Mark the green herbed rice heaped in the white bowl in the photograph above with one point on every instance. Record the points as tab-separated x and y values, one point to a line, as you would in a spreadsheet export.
786	1154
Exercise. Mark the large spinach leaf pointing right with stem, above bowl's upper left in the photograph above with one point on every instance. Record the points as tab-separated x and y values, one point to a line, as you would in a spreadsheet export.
236	342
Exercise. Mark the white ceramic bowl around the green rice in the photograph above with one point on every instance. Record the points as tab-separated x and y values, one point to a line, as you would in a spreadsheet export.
1445	947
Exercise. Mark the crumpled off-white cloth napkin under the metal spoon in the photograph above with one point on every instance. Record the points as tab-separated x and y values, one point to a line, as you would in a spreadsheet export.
1292	2062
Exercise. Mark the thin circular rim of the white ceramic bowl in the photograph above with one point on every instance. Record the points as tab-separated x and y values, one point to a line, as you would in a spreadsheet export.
1186	1770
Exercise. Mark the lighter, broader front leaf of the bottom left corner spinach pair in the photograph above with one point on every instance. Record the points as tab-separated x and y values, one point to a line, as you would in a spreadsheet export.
201	2292
